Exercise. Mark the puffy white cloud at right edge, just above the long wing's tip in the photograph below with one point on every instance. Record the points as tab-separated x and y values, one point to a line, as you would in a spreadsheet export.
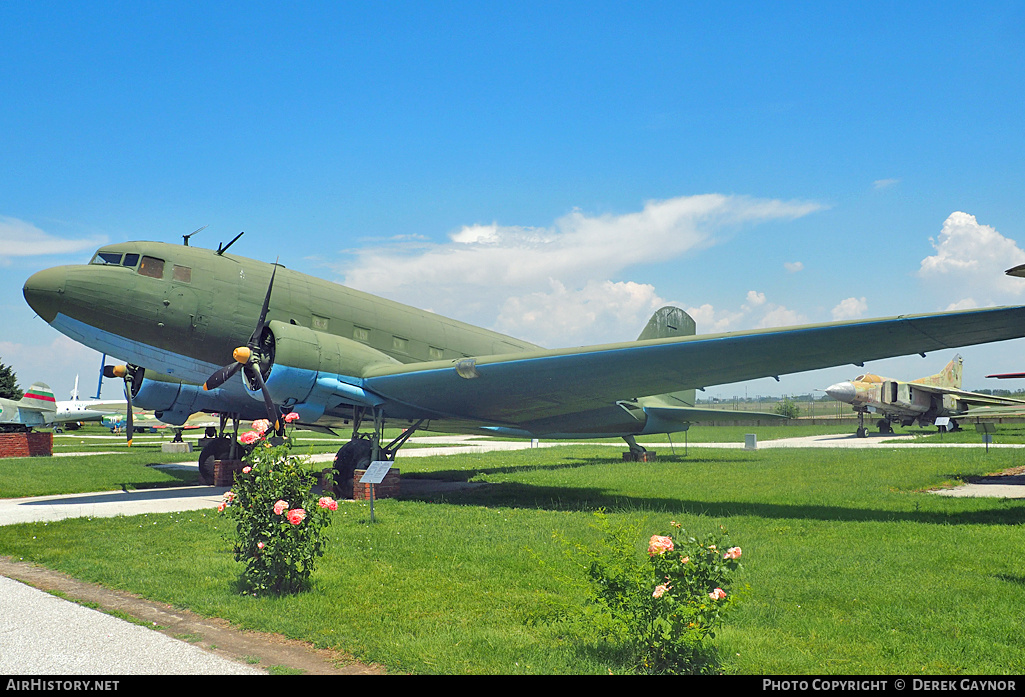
971	256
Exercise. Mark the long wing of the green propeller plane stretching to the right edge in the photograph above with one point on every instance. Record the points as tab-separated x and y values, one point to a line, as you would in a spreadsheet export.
522	388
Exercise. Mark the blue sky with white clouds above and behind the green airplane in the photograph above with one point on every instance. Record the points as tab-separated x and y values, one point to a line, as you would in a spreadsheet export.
552	171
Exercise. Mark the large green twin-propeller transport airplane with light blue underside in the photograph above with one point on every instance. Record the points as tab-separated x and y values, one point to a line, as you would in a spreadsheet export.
339	357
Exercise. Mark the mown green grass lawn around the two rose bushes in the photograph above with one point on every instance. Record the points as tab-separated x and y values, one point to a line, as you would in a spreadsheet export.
850	567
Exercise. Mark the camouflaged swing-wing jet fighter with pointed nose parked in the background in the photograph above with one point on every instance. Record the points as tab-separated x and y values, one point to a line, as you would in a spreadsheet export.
924	400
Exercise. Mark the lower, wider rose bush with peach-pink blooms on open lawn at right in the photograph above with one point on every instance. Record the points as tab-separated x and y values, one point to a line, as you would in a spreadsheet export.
668	606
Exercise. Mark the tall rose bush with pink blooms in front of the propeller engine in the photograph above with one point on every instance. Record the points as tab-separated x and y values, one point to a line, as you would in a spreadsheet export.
279	522
